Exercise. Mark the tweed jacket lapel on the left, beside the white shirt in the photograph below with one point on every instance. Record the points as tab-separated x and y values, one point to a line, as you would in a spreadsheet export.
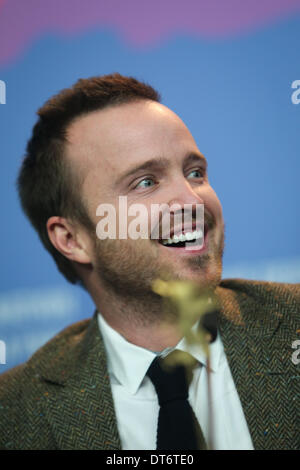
79	404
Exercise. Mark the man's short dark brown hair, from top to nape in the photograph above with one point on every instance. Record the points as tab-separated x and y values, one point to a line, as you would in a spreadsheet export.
46	184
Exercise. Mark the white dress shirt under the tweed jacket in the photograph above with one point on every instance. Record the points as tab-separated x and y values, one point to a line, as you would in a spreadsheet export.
136	402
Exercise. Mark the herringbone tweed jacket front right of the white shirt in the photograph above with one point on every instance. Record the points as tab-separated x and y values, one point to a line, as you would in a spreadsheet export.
259	355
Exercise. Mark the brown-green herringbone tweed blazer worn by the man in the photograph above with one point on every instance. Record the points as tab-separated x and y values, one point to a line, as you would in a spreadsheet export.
61	398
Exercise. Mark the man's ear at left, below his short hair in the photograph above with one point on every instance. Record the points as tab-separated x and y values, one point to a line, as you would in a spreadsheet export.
70	240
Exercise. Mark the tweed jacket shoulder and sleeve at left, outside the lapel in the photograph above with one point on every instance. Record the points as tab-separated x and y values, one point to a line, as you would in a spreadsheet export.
22	390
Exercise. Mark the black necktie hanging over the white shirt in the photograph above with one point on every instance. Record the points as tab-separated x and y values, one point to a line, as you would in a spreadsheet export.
178	427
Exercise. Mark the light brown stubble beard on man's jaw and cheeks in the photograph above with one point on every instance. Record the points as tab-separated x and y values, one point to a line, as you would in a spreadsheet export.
126	270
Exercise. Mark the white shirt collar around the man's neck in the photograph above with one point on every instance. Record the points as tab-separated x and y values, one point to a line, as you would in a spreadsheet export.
129	363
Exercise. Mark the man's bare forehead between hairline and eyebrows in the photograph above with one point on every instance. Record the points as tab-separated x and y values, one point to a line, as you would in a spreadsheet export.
117	137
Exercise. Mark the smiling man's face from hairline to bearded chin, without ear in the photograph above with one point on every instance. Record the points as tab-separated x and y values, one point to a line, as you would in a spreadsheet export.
143	151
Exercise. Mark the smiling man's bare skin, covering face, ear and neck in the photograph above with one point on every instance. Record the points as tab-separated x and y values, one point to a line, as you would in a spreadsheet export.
160	164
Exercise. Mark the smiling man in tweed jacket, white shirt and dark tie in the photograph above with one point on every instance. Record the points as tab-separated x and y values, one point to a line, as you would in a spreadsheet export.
88	388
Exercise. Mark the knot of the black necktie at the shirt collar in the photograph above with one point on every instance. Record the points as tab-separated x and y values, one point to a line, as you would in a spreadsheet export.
171	376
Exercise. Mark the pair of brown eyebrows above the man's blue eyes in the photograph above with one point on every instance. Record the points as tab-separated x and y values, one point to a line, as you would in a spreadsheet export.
161	164
